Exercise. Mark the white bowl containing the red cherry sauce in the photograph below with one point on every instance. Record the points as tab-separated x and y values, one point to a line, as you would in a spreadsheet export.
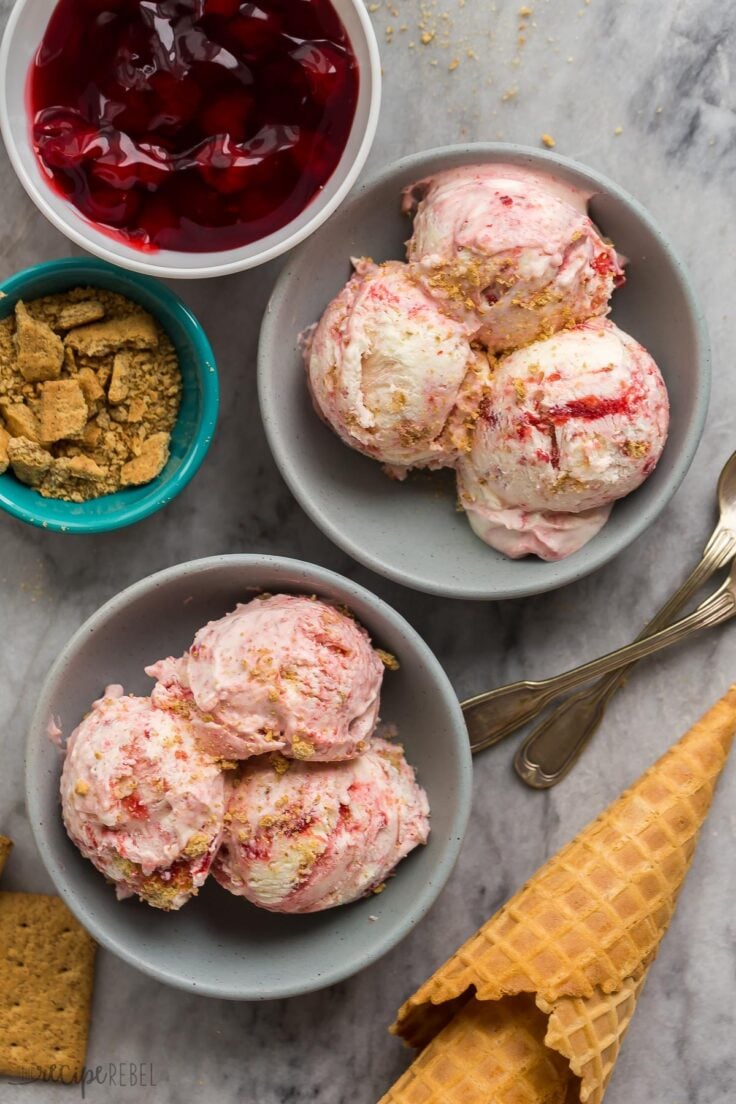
24	34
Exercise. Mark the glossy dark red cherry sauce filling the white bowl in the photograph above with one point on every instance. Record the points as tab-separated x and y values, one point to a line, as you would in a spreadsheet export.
193	125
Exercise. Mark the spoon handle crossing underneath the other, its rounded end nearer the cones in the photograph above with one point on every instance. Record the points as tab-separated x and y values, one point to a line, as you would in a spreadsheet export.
551	750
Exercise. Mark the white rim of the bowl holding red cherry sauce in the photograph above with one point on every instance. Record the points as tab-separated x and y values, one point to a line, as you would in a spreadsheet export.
135	260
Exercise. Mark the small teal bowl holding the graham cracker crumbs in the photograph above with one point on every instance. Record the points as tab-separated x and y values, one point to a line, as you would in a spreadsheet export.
196	426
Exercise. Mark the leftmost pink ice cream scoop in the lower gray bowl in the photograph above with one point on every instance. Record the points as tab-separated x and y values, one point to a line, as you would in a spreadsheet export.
142	800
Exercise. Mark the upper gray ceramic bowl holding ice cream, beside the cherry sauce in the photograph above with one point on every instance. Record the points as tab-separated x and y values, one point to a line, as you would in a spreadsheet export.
411	532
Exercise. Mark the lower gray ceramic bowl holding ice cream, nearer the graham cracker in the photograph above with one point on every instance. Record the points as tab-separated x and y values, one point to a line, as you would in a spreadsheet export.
219	944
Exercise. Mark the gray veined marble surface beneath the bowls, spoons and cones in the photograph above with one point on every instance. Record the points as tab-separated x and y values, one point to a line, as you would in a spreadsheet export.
644	93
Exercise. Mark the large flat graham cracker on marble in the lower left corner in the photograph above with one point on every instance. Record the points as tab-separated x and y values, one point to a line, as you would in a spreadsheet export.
47	976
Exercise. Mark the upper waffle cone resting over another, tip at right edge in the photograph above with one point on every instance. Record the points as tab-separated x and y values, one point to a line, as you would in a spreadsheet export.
582	935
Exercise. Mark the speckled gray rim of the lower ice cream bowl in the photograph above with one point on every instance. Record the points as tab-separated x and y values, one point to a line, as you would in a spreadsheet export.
314	577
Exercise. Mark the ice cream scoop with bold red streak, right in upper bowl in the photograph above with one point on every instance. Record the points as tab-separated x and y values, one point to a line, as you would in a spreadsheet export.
571	424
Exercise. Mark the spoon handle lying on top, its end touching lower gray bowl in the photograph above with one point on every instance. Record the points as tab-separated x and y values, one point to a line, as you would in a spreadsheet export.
508	708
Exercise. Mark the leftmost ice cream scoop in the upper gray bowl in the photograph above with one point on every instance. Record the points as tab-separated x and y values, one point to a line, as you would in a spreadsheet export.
392	375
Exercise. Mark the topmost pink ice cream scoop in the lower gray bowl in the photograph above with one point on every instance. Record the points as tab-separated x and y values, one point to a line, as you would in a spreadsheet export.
280	674
